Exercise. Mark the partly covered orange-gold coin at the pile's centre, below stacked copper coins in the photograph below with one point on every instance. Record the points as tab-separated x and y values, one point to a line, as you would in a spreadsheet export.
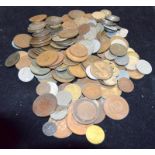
77	71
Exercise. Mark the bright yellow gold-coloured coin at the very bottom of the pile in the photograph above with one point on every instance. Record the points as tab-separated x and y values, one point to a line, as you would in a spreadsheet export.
95	134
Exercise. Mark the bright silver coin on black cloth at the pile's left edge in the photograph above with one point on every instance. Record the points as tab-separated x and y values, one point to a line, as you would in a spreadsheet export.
25	74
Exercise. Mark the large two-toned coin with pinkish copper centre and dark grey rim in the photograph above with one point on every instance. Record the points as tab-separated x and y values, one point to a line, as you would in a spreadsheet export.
85	111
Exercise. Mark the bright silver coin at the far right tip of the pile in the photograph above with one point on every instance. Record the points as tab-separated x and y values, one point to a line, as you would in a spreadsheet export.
144	67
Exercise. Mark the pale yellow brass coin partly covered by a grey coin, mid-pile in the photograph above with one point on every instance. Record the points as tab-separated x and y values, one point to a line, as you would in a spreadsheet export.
75	91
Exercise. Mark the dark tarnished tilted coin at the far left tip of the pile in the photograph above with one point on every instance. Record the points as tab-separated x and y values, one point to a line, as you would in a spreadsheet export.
12	59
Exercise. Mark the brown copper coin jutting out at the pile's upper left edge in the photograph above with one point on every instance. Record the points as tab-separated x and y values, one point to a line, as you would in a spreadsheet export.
22	40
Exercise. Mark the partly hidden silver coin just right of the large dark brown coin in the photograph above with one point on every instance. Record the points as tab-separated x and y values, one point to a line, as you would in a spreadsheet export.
60	113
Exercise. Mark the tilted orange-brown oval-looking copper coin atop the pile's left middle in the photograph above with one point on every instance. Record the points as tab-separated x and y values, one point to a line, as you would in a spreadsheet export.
47	58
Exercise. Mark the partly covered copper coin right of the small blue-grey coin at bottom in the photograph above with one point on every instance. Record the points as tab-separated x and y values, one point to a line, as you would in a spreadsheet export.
62	129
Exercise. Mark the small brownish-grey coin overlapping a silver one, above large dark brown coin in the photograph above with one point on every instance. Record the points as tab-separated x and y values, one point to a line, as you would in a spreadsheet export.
43	88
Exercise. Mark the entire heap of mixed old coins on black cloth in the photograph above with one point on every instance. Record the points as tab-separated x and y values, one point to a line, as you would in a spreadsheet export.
83	64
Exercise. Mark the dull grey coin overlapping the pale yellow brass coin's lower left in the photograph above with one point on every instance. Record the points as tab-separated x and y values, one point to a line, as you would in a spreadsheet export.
64	98
